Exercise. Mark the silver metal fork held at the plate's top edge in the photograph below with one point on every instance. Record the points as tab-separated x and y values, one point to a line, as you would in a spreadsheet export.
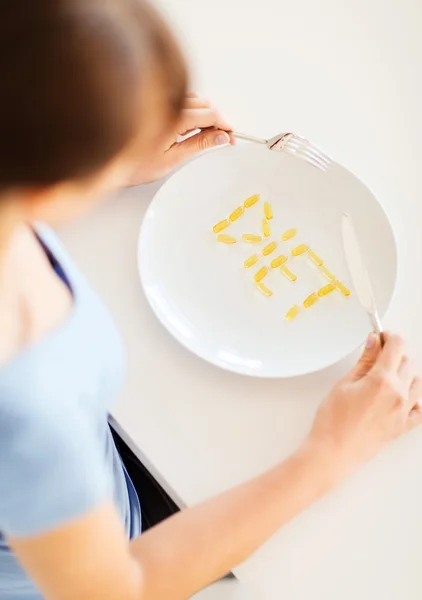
292	144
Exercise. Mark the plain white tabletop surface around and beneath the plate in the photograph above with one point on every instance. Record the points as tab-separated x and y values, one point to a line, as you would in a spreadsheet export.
347	75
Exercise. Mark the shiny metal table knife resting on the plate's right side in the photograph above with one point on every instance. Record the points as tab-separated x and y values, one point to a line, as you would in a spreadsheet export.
359	274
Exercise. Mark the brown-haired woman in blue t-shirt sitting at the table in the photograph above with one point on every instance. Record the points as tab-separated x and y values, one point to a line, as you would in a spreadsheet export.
91	89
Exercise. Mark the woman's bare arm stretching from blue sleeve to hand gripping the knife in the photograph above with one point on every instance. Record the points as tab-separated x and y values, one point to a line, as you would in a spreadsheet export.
376	402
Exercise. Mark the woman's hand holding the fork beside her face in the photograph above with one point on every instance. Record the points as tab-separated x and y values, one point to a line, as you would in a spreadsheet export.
197	114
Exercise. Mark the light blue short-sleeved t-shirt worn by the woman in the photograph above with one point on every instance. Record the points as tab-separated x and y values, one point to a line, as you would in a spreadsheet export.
57	455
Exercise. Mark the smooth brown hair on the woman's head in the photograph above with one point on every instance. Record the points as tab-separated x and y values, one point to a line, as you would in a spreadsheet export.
73	79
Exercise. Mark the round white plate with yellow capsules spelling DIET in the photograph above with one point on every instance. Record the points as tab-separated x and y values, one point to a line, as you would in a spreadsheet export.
200	291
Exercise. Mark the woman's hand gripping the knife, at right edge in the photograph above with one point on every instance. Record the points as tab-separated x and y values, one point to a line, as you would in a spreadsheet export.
372	405
